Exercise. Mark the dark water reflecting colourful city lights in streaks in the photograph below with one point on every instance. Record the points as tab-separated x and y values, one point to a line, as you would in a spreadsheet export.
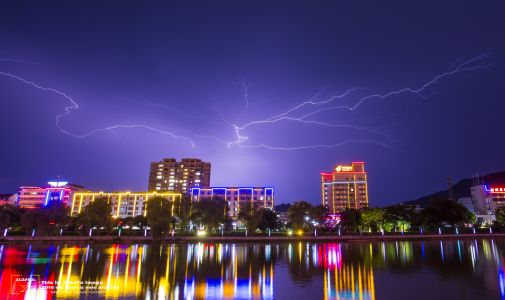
465	269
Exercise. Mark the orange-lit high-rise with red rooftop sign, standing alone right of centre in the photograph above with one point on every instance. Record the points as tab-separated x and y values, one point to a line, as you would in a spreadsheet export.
345	187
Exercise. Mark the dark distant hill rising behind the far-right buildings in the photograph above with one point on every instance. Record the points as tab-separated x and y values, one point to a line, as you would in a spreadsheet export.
461	189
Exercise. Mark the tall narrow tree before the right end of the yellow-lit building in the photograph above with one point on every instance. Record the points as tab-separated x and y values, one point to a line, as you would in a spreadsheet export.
159	216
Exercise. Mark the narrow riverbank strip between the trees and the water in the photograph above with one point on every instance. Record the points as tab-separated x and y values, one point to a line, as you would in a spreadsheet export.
244	239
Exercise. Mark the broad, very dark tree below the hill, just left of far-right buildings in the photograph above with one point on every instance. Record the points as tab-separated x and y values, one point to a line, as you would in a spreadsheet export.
440	212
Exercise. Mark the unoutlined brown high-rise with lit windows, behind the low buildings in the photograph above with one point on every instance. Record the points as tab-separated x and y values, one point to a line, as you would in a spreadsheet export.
171	175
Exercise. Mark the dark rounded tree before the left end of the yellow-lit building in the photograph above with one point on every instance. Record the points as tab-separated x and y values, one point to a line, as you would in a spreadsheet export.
97	215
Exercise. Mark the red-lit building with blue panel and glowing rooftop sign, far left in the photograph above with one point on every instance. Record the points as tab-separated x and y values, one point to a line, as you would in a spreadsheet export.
35	197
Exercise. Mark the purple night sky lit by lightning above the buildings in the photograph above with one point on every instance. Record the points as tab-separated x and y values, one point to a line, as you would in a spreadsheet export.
270	93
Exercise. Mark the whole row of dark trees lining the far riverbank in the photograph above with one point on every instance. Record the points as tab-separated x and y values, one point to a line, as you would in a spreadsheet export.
164	218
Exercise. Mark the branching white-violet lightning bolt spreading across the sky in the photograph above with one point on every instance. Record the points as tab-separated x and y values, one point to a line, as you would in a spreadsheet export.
305	113
